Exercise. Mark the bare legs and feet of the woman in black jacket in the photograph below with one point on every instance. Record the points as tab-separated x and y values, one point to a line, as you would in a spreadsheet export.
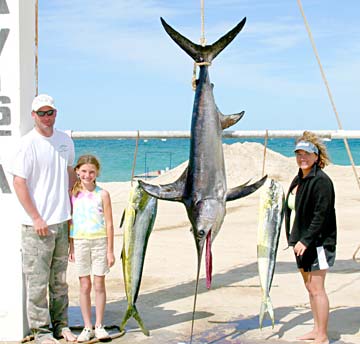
315	284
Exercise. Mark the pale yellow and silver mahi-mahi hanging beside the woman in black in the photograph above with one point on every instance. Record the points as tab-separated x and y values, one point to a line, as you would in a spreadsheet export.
271	211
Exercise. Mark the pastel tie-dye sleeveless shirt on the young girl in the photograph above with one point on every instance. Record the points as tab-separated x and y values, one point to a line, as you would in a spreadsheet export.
88	215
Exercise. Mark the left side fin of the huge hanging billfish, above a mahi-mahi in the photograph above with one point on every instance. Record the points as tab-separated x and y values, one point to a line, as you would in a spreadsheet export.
171	192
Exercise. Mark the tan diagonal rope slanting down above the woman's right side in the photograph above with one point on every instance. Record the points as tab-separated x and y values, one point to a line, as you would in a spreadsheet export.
328	91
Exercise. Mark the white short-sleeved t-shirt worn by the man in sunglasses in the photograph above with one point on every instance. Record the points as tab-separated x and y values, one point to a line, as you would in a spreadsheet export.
43	162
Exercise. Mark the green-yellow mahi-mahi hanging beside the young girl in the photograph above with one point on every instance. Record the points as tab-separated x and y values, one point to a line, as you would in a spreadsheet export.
138	221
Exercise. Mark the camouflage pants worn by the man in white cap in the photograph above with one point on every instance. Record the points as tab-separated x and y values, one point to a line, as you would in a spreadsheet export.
45	260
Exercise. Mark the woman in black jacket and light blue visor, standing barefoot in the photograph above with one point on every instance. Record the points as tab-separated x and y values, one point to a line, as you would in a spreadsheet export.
310	223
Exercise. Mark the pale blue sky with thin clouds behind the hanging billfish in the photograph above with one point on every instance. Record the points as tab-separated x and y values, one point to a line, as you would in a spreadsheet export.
111	66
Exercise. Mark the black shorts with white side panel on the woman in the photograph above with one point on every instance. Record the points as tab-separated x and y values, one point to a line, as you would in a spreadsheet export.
317	258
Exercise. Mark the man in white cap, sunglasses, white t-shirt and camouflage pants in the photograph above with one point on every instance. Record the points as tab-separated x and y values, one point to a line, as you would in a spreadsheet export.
42	178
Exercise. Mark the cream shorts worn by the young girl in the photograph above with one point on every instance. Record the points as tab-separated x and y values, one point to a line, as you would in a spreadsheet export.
91	256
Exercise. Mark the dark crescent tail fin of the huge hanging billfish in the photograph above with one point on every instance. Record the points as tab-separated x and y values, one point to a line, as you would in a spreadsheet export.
198	52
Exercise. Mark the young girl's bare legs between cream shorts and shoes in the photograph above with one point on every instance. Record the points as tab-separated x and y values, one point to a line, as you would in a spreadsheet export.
85	299
